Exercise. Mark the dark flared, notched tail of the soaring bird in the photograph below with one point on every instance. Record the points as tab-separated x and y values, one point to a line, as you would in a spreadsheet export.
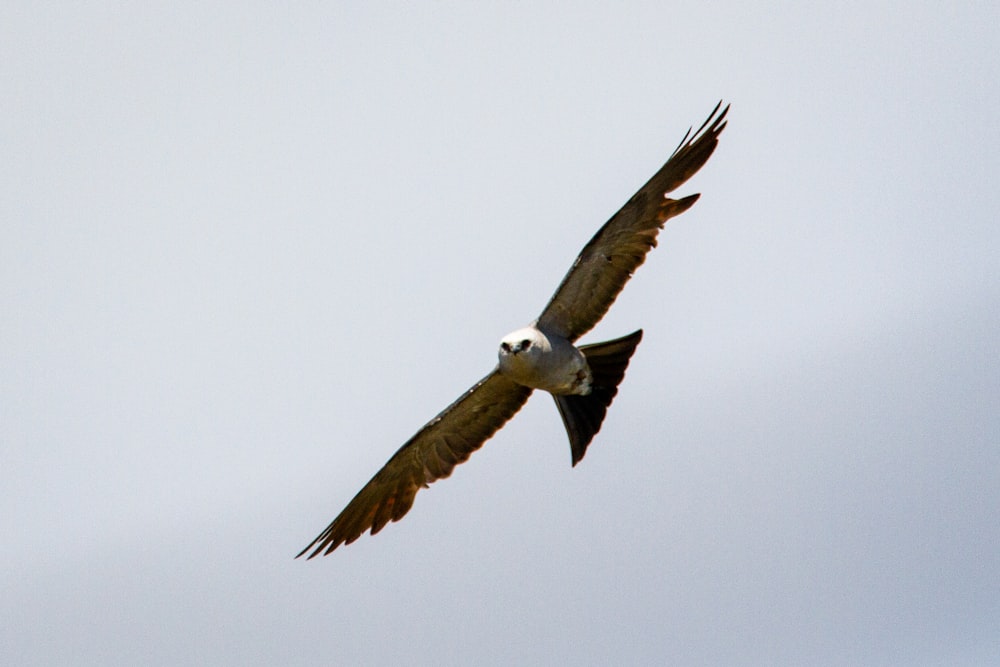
583	415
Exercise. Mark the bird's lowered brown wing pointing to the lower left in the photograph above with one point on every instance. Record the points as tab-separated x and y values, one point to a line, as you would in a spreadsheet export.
430	455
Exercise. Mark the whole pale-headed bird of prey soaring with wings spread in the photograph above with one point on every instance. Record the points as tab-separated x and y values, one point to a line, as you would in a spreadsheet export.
582	380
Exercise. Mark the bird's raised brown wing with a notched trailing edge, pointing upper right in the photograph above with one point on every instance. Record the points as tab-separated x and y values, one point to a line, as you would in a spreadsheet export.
620	246
